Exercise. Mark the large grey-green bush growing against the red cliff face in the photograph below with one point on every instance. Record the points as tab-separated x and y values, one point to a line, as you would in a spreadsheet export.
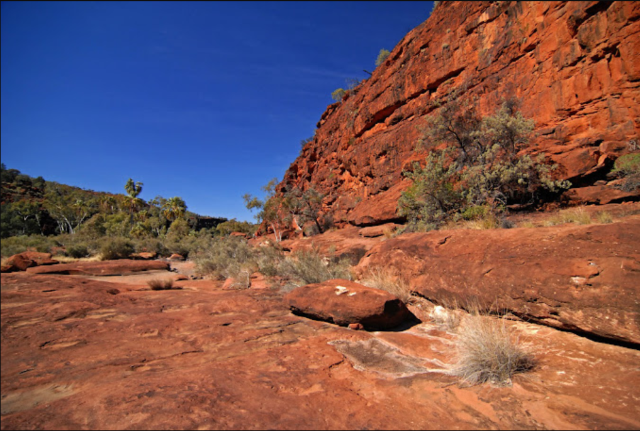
480	166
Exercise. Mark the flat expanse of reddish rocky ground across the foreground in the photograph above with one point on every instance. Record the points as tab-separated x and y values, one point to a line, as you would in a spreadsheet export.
92	351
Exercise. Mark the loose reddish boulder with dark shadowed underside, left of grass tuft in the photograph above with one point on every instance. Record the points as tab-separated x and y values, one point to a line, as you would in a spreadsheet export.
344	302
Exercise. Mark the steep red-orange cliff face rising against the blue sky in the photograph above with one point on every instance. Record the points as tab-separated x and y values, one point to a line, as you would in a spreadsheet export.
574	65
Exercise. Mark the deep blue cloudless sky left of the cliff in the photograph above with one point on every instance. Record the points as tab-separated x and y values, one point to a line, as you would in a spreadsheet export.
202	100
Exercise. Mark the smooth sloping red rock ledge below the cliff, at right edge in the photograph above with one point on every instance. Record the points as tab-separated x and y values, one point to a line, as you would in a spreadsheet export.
580	278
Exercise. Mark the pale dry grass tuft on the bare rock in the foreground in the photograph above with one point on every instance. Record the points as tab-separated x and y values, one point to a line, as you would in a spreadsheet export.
488	351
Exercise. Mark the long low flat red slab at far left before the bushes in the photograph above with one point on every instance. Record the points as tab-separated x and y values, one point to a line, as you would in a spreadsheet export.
110	267
